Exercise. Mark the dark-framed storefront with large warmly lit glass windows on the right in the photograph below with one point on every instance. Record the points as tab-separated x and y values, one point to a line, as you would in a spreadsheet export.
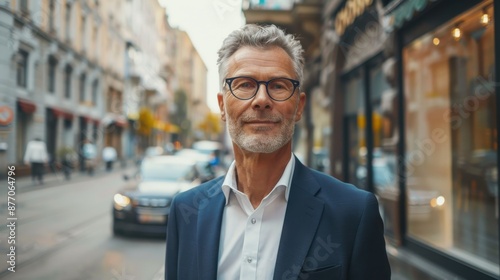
419	123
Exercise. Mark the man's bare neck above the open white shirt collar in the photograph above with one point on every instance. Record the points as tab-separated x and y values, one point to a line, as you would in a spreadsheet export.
258	173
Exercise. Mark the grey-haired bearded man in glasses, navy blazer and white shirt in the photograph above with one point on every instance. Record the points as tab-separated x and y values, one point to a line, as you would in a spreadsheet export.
271	217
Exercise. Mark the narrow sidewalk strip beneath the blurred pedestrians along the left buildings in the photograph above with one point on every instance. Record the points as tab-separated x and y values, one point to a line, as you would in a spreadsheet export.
51	179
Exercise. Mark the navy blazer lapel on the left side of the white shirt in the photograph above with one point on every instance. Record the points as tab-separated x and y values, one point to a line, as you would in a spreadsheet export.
210	210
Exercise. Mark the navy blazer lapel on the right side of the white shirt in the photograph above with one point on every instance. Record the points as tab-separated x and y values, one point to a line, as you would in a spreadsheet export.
302	217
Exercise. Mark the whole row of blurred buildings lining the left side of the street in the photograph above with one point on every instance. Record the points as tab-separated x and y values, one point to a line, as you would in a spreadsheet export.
77	70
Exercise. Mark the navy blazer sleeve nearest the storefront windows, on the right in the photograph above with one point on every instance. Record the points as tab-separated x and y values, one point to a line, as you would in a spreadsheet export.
369	256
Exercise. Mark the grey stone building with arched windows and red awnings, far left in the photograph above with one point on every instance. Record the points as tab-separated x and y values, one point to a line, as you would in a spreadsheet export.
52	78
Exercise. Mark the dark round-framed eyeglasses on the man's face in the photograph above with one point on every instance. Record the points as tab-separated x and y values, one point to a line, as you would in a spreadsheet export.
279	89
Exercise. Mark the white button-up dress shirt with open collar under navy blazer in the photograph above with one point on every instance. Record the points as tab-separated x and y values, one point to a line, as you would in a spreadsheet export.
250	238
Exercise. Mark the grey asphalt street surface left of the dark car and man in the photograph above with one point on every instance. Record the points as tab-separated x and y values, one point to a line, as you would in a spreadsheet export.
63	231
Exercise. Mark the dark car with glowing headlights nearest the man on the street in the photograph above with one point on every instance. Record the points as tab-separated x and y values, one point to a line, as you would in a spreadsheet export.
143	205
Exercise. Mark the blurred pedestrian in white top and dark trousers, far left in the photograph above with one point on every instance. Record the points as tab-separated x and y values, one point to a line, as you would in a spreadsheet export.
37	157
